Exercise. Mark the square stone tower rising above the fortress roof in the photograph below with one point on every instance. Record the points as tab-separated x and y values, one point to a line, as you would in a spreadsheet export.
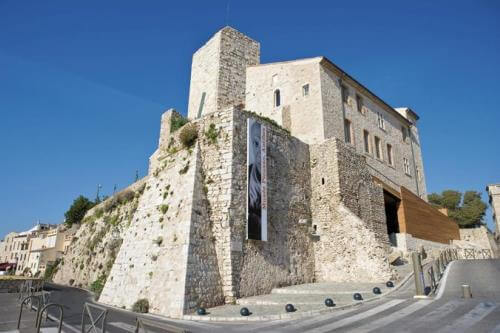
218	72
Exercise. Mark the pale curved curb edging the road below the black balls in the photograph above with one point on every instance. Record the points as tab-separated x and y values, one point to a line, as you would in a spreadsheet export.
291	316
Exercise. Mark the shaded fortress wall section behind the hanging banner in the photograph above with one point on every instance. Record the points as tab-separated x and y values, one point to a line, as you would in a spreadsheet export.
287	257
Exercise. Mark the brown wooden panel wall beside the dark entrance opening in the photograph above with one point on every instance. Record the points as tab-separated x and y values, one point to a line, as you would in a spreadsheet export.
421	220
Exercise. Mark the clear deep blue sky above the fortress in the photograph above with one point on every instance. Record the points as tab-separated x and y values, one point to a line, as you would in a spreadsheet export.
83	85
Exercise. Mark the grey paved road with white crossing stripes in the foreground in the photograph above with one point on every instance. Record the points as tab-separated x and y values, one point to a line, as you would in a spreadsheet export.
447	312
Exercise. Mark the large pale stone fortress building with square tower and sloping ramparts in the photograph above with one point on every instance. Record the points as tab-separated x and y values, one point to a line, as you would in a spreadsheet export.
344	174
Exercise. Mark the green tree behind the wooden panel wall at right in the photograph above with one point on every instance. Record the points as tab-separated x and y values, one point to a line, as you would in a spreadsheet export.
468	213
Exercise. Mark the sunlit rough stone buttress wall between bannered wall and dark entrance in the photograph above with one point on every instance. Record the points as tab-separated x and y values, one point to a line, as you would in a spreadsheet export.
349	217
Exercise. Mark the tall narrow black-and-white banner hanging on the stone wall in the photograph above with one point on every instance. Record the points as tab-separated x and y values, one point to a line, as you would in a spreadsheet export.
256	180
